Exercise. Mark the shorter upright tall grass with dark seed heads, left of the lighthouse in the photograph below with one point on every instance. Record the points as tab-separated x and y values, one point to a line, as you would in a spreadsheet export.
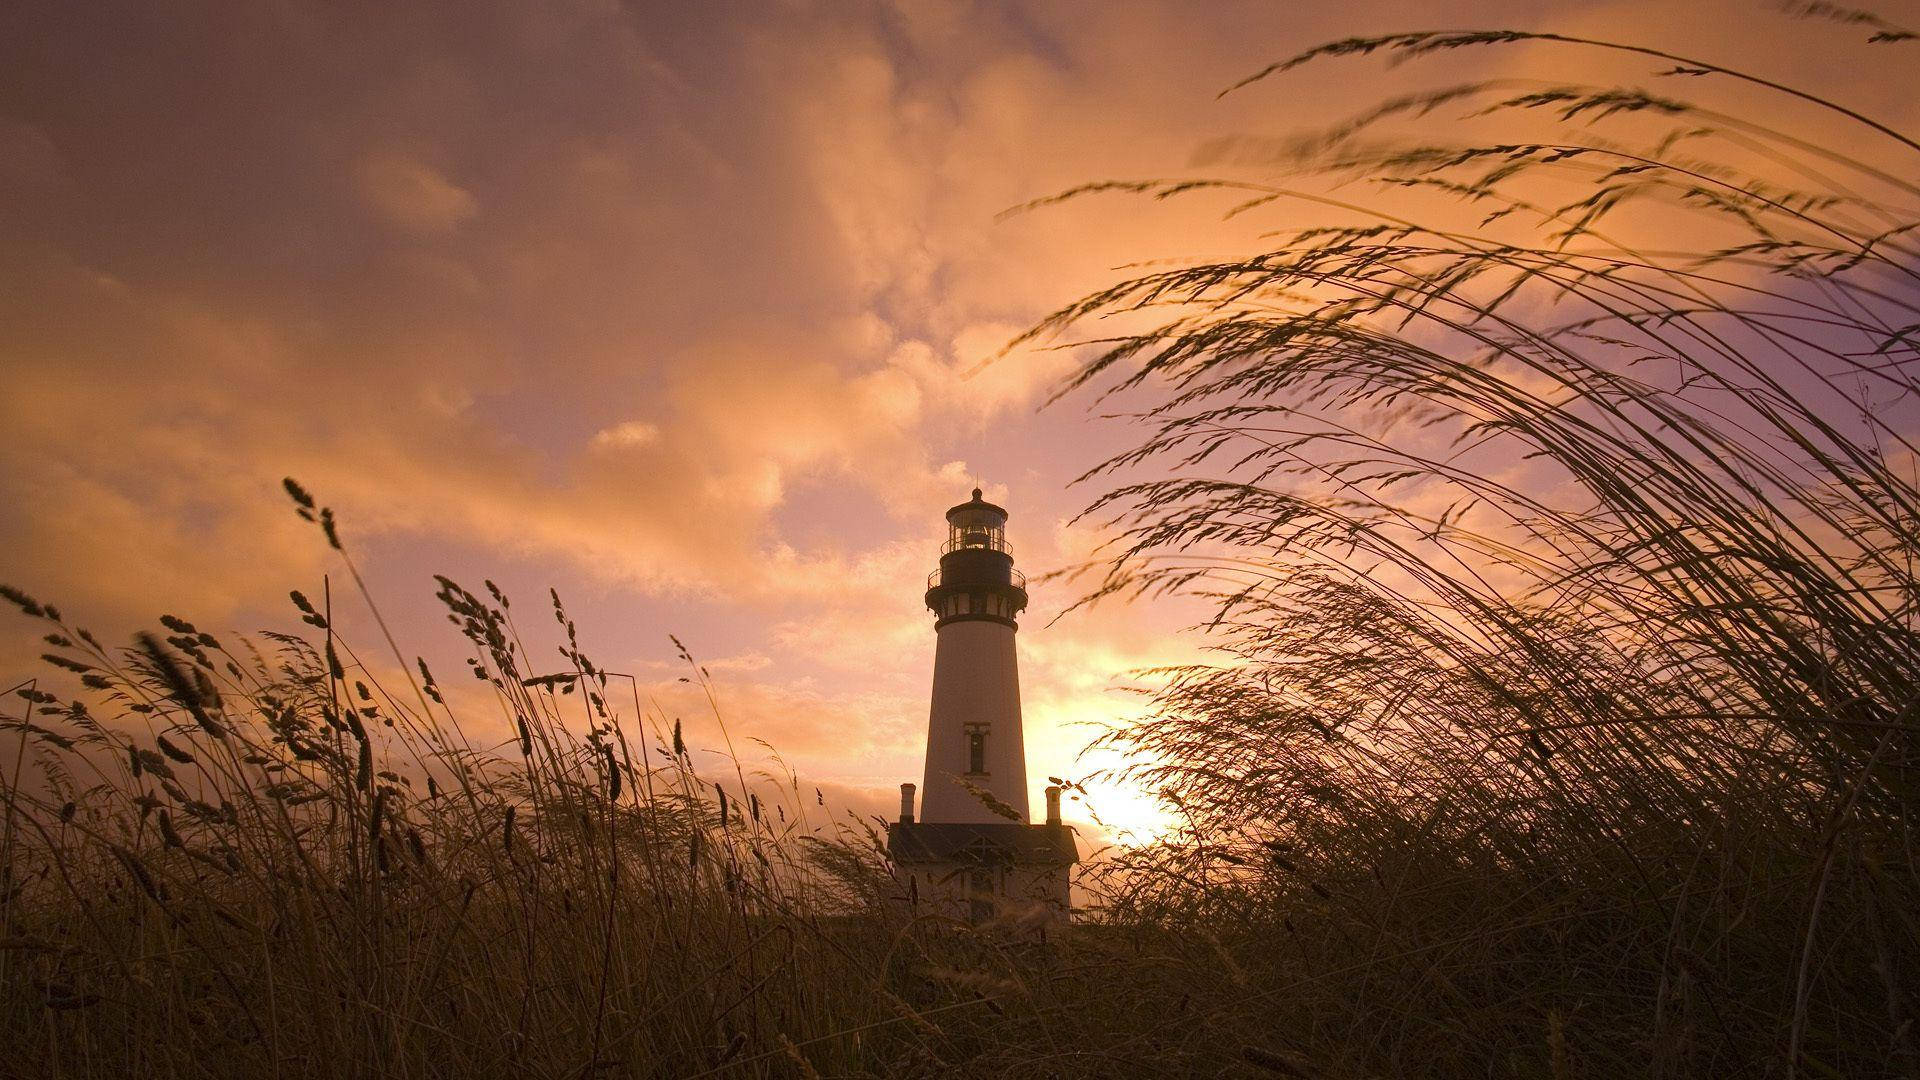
297	862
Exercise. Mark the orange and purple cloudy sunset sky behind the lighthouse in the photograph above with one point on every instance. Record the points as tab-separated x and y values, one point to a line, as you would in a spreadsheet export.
683	310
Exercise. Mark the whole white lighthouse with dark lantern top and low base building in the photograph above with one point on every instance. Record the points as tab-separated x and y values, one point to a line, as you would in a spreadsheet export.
971	848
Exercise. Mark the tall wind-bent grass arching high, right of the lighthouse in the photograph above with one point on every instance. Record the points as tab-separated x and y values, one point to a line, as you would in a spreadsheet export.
1558	503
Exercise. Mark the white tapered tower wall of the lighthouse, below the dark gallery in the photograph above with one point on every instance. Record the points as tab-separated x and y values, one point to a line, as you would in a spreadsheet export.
976	683
